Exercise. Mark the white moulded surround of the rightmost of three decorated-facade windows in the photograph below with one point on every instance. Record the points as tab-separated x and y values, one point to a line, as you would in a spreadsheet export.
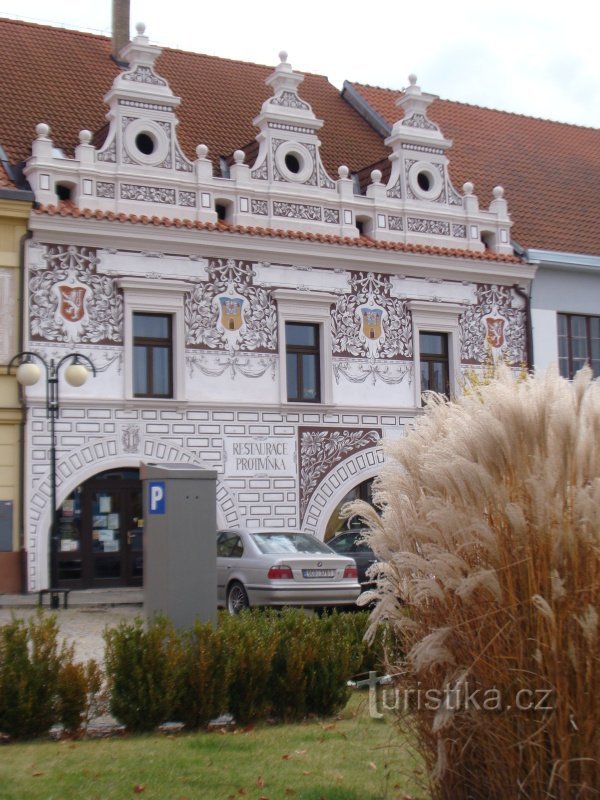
437	318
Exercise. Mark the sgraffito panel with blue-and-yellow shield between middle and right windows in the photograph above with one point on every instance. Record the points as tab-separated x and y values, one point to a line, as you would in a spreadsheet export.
368	321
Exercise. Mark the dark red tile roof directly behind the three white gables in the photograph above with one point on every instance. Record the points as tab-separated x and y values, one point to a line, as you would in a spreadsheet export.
61	76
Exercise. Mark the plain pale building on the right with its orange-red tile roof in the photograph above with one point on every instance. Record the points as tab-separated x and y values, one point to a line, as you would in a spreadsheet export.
551	174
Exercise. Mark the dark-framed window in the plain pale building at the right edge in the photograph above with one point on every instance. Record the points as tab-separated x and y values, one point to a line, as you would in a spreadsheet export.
578	343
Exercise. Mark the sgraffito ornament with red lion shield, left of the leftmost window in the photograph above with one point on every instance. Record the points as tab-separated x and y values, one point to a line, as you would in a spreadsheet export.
70	302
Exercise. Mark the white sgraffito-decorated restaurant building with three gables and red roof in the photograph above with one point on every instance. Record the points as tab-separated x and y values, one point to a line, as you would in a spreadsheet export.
256	314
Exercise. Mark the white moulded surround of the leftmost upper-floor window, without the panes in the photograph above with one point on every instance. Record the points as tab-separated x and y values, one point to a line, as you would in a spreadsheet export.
146	296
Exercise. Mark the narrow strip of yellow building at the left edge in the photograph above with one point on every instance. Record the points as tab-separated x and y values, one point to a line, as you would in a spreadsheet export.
15	207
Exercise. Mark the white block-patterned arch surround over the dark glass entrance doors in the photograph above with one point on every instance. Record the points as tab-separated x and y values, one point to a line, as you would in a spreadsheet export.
78	466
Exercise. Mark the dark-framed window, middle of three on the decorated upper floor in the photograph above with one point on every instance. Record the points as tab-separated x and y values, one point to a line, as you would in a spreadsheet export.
302	356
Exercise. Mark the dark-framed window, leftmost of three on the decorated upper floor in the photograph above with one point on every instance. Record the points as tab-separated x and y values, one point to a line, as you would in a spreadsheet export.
152	355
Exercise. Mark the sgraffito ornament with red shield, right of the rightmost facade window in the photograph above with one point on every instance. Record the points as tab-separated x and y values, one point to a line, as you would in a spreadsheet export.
494	325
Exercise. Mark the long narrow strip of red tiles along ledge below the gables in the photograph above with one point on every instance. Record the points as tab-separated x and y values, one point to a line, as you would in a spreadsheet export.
68	209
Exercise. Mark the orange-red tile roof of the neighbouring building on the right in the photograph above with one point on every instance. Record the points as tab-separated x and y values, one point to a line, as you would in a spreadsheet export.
550	171
